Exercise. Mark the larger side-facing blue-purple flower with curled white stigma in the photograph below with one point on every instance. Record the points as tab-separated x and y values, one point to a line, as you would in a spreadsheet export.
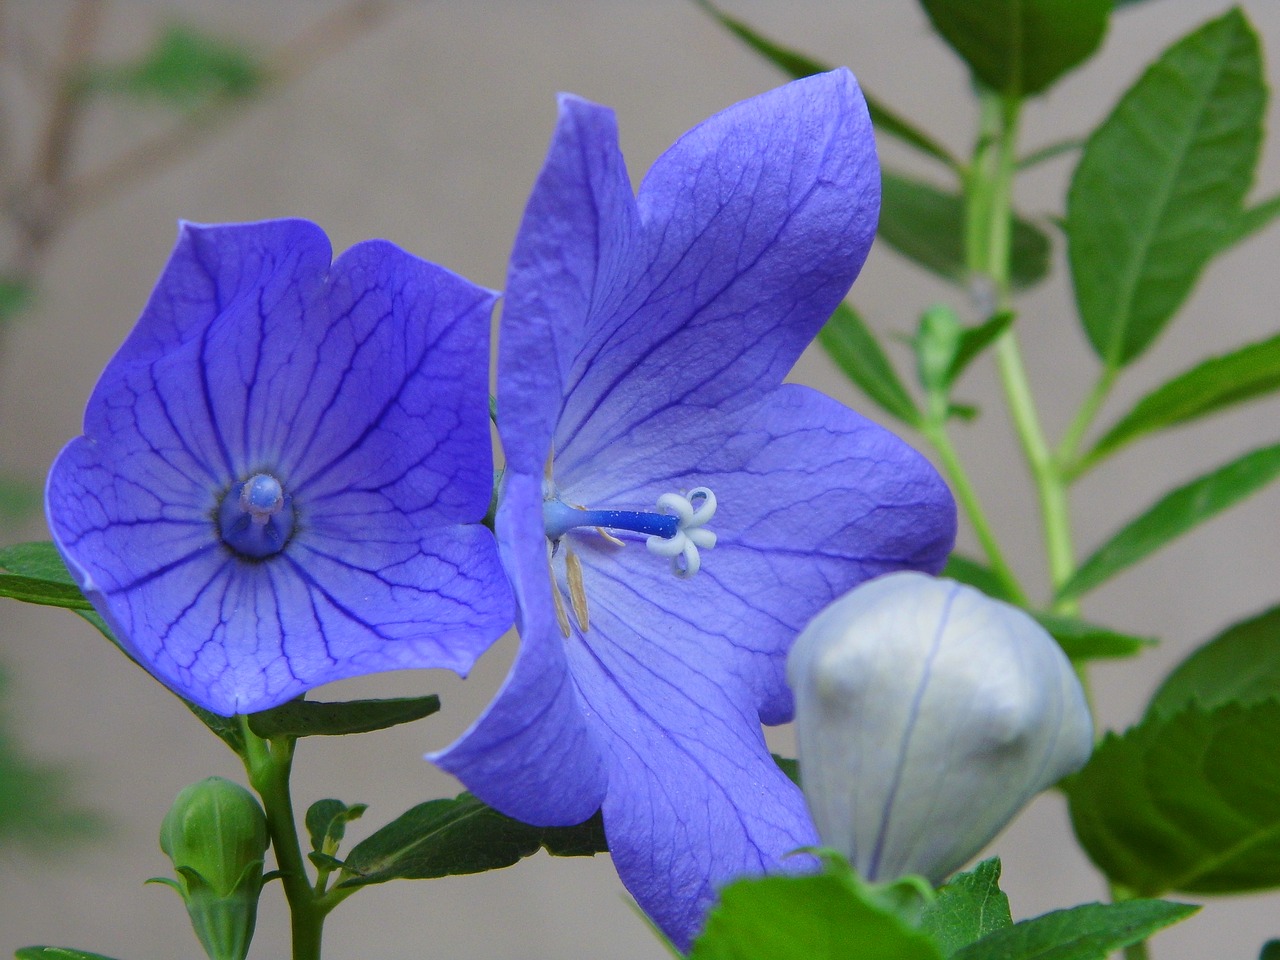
671	514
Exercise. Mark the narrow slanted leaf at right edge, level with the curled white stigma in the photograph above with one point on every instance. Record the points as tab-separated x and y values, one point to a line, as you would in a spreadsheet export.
1174	515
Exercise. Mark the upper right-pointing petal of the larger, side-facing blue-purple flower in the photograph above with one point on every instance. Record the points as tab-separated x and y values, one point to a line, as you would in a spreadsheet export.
756	225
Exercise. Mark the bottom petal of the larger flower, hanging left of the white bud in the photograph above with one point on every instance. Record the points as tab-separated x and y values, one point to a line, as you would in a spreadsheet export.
694	798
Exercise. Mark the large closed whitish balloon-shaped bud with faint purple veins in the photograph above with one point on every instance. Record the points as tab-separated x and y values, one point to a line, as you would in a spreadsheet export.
927	716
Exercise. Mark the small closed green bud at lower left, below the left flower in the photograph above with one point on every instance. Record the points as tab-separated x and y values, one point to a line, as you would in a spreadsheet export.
216	834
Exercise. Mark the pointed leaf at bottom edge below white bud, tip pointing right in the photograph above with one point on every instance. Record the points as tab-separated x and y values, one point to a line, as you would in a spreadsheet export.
1087	932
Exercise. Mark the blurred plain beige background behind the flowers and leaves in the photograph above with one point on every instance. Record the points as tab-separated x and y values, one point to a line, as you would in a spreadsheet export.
428	130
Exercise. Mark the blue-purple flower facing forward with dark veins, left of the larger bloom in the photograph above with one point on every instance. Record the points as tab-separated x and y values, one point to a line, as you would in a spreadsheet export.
285	469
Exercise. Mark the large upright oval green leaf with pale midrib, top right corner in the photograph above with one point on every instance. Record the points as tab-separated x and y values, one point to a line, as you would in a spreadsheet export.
1160	185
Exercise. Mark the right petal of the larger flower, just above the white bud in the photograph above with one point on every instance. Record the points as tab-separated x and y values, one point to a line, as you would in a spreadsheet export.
813	500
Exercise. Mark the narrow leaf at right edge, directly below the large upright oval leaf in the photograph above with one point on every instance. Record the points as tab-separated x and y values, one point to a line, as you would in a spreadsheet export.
1220	382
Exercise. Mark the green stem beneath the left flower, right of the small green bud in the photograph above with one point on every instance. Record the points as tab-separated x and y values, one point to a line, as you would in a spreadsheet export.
269	765
